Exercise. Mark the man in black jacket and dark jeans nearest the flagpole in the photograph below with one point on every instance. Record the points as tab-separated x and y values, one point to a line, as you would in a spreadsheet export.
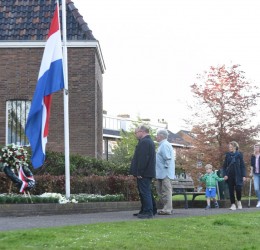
143	168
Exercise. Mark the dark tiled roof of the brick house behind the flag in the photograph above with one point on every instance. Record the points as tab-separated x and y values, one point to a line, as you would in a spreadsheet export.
30	20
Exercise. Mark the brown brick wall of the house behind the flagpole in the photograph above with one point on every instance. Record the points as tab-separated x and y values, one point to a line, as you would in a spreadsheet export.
19	68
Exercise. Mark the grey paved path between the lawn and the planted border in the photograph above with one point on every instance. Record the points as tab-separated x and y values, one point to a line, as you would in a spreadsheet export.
14	223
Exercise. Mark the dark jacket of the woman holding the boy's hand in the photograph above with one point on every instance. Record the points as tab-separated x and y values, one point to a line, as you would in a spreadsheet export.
235	162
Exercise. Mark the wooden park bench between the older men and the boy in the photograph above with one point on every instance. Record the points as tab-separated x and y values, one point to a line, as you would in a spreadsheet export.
185	187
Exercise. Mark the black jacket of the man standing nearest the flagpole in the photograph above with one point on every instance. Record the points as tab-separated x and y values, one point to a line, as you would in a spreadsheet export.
143	162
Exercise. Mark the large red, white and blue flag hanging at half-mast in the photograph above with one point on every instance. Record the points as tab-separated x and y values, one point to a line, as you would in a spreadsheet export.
50	80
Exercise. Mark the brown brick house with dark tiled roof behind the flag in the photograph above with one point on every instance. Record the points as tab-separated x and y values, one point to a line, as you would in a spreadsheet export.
24	26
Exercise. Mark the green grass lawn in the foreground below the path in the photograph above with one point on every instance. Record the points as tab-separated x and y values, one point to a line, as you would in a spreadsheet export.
230	231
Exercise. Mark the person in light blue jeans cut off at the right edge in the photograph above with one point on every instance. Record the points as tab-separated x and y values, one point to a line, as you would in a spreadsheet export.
255	171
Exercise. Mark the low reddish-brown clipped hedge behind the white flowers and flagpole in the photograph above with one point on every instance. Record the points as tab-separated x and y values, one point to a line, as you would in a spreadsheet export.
93	184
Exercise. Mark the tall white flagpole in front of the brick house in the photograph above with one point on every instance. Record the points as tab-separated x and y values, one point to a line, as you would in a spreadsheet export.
66	101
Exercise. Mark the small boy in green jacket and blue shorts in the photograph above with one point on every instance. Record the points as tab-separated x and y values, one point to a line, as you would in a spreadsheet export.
210	178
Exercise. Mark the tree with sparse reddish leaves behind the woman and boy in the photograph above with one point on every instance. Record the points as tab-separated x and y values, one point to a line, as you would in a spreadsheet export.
224	108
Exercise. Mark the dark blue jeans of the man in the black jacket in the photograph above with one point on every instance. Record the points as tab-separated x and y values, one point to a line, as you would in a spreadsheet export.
145	192
